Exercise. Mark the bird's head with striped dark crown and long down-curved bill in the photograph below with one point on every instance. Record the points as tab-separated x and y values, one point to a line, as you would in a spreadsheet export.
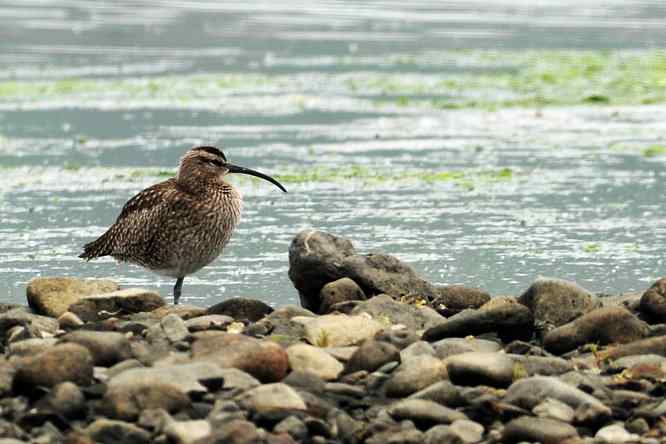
209	164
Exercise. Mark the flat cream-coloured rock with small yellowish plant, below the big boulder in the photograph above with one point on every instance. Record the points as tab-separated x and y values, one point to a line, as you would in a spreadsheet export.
338	330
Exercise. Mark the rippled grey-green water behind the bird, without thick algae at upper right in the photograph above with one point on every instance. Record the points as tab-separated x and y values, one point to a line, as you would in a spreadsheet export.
342	99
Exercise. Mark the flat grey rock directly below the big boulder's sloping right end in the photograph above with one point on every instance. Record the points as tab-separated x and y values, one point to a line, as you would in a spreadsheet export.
389	312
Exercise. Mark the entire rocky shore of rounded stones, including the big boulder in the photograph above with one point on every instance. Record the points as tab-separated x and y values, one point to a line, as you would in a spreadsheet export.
374	354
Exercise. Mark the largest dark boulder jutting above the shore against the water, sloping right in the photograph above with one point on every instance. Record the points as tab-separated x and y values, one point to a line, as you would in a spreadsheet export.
317	258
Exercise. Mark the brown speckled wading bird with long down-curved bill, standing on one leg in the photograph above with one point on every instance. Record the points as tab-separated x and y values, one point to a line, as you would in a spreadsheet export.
180	225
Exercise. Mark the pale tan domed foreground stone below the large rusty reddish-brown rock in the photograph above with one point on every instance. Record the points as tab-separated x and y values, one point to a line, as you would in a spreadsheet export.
269	398
